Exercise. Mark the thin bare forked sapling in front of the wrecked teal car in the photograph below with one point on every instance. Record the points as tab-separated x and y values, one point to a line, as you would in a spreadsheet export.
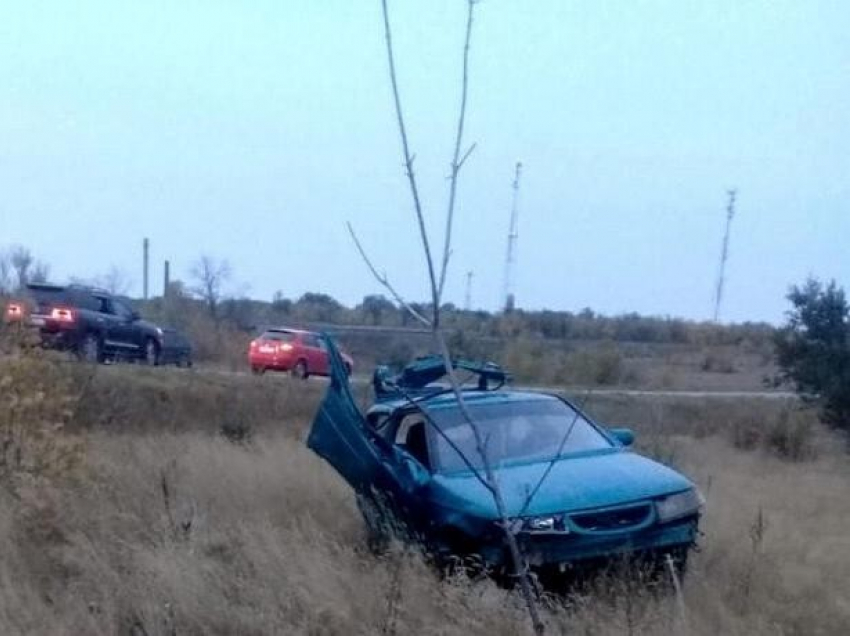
437	281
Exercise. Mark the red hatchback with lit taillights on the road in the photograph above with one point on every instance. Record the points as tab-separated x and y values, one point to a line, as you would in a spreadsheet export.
301	352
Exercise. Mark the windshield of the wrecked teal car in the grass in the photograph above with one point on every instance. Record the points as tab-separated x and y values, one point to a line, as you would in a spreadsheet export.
514	432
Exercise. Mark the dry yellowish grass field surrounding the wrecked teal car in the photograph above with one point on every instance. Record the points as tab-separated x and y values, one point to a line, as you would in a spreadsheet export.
172	503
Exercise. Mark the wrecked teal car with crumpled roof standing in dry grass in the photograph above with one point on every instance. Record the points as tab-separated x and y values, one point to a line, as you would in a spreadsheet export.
573	491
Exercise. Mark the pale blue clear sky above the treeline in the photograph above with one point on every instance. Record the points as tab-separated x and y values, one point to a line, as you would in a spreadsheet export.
253	130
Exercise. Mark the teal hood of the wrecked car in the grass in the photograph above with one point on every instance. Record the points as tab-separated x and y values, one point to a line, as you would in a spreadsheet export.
574	483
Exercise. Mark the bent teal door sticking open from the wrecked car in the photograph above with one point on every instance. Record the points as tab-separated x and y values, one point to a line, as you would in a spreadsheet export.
343	438
